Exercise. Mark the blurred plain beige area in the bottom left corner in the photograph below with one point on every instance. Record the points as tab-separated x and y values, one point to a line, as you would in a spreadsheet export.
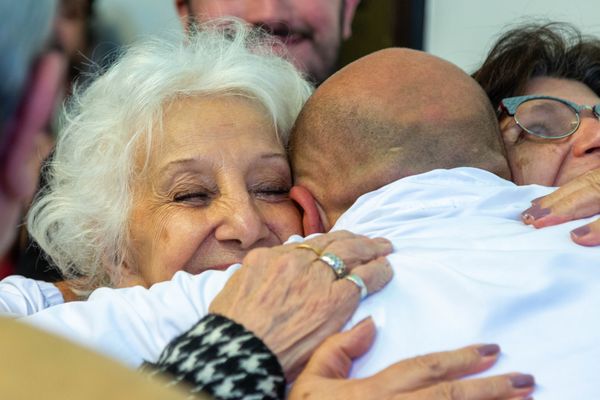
36	365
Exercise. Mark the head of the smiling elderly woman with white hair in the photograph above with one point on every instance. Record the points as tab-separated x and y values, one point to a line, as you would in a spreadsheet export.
173	160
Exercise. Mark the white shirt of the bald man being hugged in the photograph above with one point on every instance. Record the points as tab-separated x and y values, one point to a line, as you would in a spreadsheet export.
466	271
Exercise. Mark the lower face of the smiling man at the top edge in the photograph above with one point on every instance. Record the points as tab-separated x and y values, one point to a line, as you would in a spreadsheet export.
311	29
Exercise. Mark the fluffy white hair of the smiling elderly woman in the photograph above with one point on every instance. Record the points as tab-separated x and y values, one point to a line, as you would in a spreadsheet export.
80	219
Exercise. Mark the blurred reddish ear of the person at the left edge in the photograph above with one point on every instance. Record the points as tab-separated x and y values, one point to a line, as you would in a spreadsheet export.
35	110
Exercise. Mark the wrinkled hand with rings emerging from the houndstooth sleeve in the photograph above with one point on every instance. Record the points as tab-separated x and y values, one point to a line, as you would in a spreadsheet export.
292	300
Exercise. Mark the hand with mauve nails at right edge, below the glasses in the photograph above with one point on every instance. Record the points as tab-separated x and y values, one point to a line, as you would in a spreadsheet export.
578	199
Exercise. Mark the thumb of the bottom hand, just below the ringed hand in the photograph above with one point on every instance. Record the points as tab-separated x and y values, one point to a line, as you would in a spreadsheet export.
333	358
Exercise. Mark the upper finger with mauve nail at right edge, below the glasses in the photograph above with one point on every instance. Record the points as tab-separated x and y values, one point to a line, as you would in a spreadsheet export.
577	205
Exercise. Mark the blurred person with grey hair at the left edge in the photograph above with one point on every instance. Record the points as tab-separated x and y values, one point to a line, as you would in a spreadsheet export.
33	70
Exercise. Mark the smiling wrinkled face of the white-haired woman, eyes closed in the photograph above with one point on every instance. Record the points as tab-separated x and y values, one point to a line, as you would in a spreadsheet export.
216	187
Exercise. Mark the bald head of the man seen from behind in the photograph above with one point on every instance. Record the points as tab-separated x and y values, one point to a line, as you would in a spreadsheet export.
391	114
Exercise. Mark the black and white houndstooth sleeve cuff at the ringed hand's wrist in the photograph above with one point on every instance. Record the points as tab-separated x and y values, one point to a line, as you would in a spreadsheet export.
220	357
